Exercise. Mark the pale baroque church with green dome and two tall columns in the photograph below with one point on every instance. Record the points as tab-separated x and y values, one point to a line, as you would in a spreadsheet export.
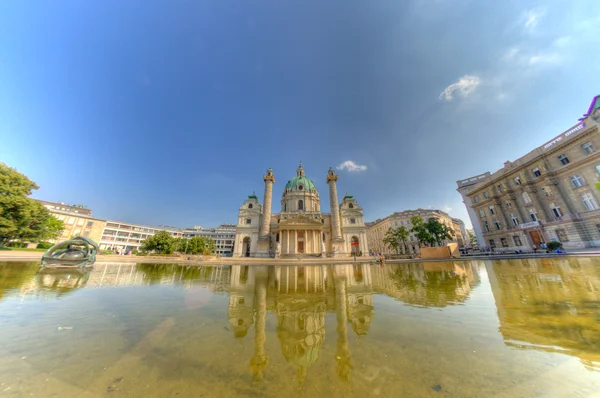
300	229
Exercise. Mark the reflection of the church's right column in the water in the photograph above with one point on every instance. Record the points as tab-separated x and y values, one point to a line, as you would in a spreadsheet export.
342	355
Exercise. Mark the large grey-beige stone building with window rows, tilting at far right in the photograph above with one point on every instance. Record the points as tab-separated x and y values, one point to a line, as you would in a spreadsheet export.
550	194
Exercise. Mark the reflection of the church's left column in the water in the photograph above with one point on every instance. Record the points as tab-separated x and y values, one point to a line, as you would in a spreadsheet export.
259	361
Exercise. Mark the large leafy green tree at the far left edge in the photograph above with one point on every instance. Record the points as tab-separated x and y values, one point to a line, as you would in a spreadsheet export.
21	217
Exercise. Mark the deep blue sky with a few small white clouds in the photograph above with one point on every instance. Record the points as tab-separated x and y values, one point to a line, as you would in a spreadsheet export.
169	112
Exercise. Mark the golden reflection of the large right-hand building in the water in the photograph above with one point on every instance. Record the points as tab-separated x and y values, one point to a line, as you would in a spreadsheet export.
549	305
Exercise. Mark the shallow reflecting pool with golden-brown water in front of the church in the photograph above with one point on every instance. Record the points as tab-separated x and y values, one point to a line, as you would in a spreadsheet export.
507	328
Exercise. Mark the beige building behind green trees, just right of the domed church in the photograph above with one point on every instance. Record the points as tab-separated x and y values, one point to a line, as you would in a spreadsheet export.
376	230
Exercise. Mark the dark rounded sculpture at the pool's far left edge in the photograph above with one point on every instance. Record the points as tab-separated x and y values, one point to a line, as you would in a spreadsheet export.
76	252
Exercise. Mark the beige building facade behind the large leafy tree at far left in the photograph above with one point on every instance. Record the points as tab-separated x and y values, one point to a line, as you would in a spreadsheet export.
78	221
